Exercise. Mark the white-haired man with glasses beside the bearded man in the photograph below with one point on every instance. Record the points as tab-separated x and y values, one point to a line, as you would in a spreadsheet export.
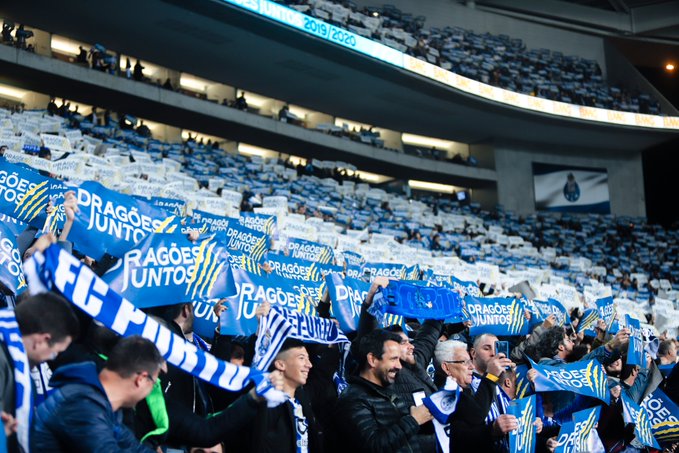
468	428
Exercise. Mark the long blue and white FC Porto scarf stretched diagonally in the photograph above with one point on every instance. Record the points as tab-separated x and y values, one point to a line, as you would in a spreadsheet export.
56	269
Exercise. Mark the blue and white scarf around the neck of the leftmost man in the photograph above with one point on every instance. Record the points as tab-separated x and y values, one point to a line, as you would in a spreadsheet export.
11	336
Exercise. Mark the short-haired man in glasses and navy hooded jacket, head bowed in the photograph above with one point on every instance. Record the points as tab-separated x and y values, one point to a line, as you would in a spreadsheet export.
83	413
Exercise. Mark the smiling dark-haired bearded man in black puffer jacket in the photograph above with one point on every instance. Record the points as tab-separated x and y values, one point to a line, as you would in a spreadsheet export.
369	416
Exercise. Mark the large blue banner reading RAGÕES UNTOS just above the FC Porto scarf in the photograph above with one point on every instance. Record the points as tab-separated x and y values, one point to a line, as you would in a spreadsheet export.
167	269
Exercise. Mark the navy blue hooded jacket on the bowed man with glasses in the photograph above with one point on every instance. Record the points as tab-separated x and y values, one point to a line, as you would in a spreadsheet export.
78	417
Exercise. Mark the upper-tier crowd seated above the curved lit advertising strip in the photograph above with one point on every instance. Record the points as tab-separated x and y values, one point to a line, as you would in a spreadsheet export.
497	60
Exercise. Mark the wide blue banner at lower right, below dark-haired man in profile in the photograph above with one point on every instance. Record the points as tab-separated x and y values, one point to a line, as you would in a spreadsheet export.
584	378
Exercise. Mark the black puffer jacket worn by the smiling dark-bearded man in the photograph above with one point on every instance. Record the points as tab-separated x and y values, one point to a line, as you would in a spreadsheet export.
373	419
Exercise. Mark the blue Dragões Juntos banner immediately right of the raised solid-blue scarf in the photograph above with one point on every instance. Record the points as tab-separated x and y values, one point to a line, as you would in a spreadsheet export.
501	316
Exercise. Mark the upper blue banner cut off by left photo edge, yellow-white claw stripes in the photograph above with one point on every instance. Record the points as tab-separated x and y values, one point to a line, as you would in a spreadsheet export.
25	193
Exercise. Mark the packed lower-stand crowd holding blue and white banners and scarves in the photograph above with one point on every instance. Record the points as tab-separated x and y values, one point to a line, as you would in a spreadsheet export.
458	329
